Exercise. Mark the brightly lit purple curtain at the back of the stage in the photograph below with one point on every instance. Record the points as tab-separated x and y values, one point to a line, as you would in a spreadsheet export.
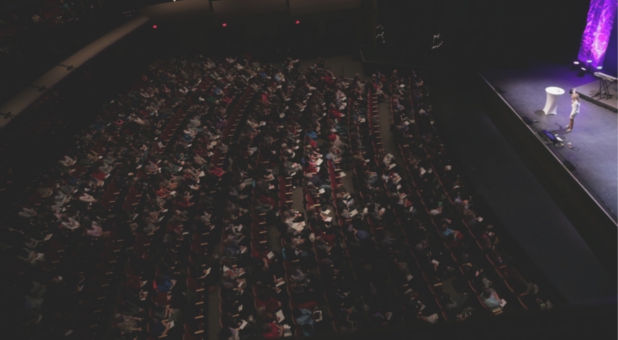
598	30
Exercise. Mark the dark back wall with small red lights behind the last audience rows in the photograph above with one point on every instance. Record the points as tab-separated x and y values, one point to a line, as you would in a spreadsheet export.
271	37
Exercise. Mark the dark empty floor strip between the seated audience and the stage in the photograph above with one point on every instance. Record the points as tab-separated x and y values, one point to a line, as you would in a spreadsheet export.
526	210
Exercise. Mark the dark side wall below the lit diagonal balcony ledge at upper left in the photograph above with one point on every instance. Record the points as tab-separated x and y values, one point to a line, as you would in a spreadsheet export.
45	131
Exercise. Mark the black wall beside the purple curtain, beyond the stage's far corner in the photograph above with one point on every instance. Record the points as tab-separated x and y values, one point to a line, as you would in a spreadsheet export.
479	33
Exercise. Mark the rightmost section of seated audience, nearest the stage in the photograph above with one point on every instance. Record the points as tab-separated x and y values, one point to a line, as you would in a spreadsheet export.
473	243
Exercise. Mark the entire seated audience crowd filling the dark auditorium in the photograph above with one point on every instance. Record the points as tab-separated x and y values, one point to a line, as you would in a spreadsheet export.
208	153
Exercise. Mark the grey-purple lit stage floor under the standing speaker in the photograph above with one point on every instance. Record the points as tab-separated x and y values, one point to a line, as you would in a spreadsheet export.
594	136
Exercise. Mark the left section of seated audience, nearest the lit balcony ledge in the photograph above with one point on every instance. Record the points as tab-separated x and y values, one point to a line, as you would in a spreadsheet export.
110	222
